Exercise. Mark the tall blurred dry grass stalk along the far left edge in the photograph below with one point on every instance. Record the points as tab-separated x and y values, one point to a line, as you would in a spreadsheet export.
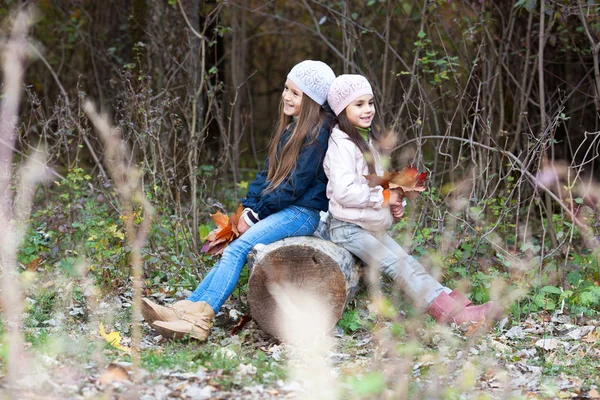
15	206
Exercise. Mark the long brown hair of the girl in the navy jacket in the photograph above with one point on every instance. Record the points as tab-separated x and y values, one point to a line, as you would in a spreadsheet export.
282	161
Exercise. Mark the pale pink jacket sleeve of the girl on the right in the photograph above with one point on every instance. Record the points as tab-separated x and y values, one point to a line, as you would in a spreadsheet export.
347	191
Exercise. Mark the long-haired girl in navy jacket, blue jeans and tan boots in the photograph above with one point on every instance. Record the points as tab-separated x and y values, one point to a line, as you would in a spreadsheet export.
284	200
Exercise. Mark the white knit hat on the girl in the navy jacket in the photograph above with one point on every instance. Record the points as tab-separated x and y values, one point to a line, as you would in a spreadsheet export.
313	78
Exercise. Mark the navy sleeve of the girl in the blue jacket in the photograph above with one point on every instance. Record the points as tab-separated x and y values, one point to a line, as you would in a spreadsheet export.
310	159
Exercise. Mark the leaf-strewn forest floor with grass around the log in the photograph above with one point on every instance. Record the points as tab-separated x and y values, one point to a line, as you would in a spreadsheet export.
540	356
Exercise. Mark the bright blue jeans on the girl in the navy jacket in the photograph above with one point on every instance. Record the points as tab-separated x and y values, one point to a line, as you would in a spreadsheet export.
216	287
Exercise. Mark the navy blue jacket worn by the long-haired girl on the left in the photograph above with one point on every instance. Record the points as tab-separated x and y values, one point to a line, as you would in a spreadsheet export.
306	185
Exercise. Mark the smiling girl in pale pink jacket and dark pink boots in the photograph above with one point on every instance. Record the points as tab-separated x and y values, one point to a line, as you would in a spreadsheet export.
360	215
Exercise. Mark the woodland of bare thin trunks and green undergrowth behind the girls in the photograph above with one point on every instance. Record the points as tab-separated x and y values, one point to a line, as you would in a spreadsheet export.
498	100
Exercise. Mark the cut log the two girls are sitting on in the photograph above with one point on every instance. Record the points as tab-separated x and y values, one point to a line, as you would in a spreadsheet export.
307	263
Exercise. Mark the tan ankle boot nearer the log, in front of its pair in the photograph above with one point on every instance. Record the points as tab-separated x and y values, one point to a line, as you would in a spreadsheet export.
195	322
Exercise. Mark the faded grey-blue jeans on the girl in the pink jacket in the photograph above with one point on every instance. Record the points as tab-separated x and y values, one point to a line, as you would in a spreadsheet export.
381	251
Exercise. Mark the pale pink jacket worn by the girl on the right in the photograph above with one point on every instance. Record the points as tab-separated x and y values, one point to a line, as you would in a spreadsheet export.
350	197
